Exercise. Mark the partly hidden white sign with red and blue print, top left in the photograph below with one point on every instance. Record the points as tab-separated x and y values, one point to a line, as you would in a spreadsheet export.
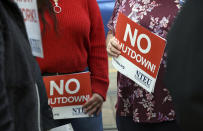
30	13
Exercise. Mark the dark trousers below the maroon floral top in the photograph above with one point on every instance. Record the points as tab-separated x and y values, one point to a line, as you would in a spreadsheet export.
126	123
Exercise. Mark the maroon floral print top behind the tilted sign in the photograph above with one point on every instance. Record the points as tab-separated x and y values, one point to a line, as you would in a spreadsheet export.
157	16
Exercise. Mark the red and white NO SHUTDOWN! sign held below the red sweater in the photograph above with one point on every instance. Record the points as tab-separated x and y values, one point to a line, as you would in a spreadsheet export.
67	93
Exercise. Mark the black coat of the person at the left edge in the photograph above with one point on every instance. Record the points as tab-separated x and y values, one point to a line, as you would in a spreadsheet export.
23	100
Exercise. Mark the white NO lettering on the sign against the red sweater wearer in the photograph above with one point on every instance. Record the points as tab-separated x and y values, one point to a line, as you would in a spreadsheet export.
60	88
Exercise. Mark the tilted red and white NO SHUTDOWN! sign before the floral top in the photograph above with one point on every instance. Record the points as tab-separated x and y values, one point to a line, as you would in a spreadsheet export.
141	52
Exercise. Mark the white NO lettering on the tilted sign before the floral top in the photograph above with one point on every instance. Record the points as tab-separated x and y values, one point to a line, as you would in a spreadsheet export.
128	32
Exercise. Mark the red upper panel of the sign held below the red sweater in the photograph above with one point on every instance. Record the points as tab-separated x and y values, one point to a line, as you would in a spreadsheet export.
67	90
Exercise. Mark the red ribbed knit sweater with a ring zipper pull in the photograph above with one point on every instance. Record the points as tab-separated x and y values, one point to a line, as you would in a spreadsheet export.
78	43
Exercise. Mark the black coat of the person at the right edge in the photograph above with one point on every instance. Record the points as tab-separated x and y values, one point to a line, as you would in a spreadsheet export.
184	76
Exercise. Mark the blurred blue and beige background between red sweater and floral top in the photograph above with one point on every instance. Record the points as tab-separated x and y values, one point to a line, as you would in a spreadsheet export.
109	122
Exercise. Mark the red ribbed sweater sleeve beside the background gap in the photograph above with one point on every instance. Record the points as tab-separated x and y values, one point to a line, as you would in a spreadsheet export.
97	59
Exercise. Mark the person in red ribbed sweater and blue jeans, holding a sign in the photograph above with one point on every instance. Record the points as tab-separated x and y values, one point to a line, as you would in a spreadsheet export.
77	43
